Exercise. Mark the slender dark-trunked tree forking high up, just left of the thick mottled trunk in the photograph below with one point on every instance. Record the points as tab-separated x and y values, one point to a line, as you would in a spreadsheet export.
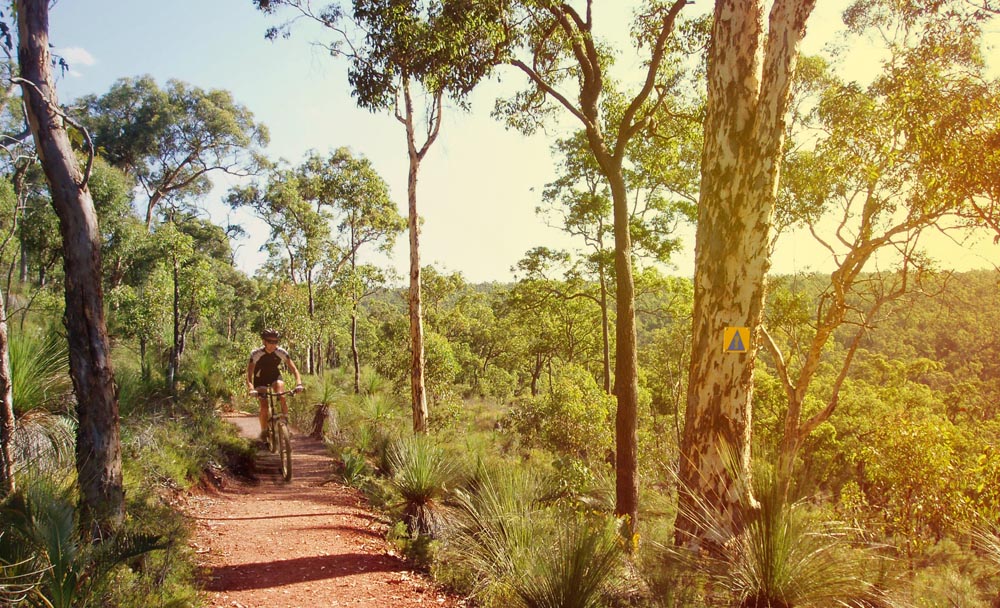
553	43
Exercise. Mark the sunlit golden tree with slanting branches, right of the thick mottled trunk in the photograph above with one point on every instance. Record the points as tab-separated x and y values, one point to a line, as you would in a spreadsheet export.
883	178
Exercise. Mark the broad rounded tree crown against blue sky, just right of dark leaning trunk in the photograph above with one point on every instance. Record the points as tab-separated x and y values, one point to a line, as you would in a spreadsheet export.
170	140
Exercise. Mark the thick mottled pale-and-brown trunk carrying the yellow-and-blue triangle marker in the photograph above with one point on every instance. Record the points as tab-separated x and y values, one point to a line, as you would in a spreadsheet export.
744	132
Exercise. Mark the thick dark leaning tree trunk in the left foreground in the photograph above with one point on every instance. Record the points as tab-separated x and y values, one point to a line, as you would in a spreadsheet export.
98	448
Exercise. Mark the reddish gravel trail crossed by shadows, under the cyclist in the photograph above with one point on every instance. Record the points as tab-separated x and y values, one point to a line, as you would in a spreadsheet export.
303	543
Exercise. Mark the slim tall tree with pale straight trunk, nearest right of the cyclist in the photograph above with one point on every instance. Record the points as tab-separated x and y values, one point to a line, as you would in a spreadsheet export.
396	50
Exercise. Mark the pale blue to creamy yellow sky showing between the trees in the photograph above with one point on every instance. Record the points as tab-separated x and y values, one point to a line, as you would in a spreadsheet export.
479	185
